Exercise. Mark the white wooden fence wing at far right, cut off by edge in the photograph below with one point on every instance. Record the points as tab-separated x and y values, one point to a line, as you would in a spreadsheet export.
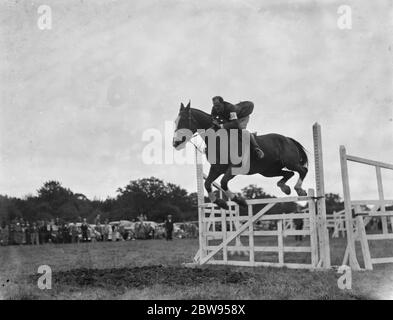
357	216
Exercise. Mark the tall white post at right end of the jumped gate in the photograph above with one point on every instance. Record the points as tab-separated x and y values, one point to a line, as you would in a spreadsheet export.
320	192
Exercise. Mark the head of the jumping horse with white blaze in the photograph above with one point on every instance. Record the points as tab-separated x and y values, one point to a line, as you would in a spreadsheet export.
185	127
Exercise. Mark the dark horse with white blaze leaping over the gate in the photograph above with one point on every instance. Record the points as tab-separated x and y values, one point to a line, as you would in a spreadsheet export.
280	153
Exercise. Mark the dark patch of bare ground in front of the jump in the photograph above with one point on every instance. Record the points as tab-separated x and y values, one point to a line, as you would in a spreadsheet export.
146	276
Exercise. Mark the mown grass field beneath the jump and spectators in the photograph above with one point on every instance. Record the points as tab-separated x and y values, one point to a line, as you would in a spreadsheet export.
152	269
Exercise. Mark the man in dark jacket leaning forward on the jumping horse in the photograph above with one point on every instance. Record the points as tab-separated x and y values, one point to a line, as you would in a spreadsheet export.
228	116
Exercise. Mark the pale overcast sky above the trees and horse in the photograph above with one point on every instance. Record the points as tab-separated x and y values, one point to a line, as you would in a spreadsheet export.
78	100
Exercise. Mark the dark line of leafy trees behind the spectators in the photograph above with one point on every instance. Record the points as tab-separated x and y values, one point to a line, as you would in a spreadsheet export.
150	197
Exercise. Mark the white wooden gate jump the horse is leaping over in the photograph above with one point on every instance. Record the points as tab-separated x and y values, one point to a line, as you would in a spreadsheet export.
223	232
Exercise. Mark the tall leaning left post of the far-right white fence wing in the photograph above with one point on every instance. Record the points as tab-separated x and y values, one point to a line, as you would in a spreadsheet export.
353	262
